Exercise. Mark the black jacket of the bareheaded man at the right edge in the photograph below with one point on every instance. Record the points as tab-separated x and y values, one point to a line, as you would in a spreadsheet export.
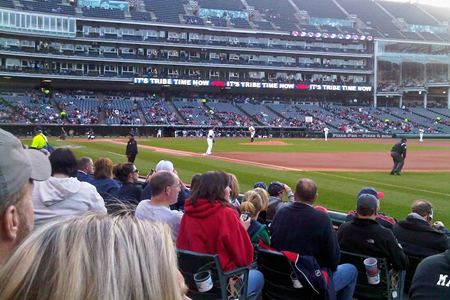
418	238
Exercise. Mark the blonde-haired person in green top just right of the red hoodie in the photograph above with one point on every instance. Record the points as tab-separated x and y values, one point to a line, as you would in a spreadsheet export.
253	205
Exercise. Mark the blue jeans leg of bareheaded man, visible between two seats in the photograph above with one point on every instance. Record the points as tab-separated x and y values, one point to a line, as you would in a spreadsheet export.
344	280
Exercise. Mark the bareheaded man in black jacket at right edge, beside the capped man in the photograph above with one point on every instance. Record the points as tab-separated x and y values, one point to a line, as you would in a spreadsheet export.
418	235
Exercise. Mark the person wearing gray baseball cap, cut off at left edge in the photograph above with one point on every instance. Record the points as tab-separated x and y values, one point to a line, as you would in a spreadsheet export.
18	168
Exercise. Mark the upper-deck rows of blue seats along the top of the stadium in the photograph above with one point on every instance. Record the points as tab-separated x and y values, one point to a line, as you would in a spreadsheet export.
380	18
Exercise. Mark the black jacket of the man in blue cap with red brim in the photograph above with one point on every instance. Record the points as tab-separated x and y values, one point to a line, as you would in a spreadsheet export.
368	237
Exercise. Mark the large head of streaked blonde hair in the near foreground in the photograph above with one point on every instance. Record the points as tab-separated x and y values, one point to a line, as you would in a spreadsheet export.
94	257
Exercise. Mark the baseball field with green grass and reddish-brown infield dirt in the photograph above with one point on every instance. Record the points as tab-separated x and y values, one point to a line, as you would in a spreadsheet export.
340	167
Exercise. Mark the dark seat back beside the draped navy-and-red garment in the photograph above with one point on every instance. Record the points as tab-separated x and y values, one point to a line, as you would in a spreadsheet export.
277	277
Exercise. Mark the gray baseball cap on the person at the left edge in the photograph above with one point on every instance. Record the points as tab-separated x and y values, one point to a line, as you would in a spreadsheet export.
18	165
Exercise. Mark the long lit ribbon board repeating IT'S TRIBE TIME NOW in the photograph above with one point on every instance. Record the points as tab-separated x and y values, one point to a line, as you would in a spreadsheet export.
247	84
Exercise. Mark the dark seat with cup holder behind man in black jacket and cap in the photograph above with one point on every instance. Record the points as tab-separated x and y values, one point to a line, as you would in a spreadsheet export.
389	280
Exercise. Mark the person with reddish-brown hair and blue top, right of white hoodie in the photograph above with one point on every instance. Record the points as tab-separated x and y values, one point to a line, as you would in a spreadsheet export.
103	179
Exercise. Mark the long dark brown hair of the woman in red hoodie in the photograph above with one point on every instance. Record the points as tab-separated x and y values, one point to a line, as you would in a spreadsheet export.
210	187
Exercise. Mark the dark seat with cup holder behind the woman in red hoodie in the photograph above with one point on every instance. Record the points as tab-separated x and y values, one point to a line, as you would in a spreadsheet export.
190	263
